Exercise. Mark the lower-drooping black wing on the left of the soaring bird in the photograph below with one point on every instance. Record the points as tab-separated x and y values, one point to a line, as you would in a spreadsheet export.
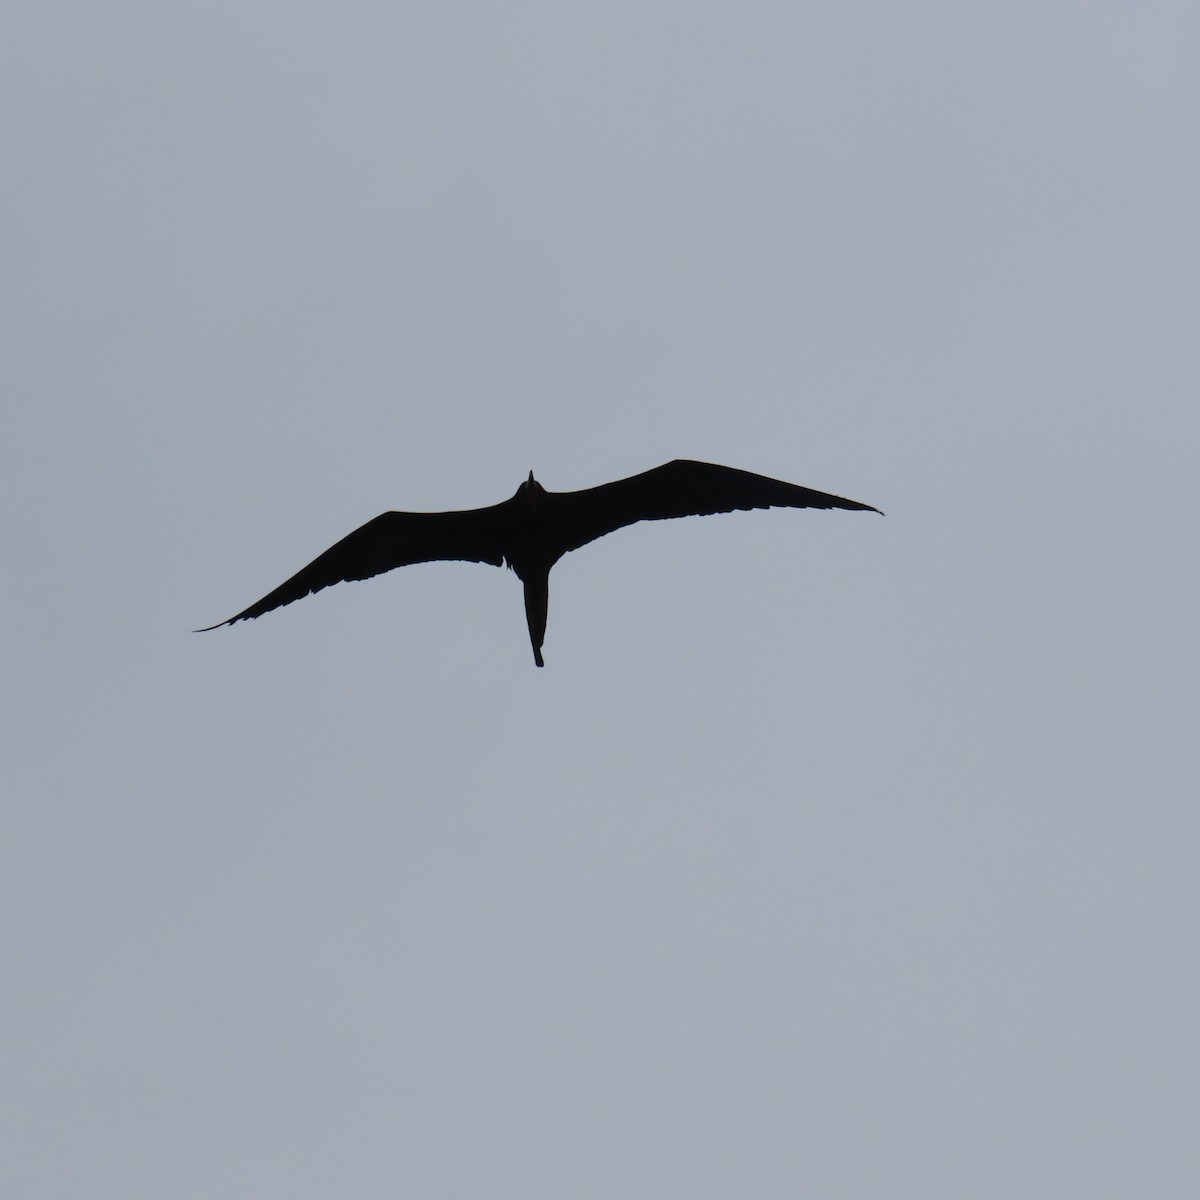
392	541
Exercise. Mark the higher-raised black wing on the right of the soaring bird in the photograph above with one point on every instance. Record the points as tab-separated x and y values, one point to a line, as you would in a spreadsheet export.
680	489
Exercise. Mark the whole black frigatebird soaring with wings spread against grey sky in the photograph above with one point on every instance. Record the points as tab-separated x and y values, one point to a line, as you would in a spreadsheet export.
535	529
